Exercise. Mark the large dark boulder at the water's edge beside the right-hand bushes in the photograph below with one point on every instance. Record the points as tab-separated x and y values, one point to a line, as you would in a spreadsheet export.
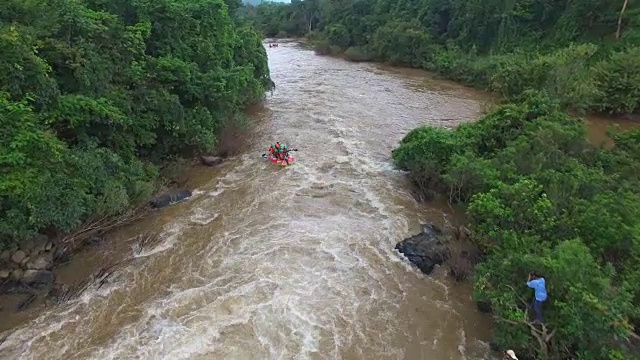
425	250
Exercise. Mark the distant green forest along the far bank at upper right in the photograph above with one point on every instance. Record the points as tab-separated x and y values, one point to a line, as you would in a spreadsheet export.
585	52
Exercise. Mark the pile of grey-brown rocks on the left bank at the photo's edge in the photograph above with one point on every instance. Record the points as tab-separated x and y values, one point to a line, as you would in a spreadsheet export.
30	263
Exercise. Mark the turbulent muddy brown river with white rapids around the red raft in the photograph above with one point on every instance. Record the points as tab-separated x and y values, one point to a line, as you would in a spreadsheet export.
284	263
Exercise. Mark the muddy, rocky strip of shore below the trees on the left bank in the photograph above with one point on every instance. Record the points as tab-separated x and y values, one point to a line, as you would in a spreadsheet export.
50	271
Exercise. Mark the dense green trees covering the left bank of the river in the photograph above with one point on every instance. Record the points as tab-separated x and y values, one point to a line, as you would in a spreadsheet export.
95	93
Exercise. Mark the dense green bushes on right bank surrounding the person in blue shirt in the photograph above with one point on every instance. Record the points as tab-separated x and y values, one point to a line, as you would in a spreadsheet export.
541	198
